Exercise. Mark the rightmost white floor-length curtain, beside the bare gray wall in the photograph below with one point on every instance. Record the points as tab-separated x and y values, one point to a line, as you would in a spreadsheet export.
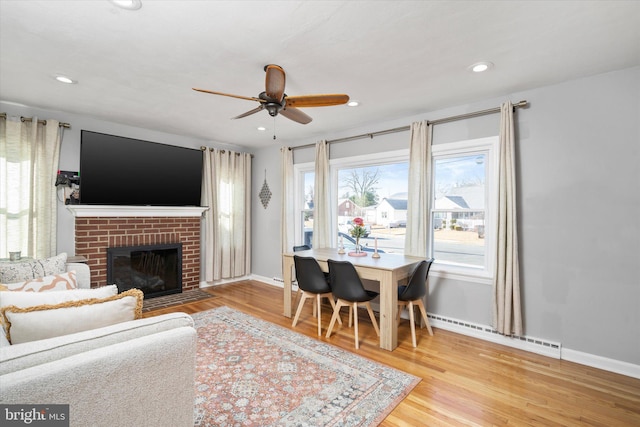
507	315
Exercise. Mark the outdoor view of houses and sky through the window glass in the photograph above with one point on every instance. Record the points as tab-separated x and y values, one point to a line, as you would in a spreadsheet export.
378	193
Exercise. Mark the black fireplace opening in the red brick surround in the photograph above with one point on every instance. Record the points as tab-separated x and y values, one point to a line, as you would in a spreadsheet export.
154	269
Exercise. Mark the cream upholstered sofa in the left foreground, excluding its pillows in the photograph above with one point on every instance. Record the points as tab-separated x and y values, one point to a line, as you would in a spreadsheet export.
135	373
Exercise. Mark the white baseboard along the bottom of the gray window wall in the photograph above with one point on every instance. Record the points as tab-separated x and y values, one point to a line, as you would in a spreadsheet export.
534	345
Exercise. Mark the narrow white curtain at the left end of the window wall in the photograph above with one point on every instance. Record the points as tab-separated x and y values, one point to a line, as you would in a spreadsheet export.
287	212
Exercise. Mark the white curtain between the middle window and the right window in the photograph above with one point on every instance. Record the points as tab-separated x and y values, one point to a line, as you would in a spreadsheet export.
419	198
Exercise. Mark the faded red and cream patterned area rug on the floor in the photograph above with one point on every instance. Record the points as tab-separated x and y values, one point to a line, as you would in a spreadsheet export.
250	372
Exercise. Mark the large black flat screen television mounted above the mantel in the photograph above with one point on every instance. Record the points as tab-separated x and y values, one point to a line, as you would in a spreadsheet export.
122	171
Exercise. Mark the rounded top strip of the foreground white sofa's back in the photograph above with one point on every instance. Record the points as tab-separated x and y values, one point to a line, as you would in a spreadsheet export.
23	356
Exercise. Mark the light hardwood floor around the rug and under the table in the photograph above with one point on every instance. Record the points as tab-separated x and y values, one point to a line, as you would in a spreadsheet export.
465	381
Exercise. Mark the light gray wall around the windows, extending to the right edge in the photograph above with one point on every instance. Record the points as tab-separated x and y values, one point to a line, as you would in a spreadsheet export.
579	207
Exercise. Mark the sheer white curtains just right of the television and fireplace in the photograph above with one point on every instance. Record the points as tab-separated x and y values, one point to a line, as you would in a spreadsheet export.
226	190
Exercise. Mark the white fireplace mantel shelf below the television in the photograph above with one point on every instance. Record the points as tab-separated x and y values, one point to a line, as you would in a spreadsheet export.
86	211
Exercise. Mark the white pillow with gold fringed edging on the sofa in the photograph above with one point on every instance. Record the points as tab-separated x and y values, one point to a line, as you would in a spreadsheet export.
24	324
